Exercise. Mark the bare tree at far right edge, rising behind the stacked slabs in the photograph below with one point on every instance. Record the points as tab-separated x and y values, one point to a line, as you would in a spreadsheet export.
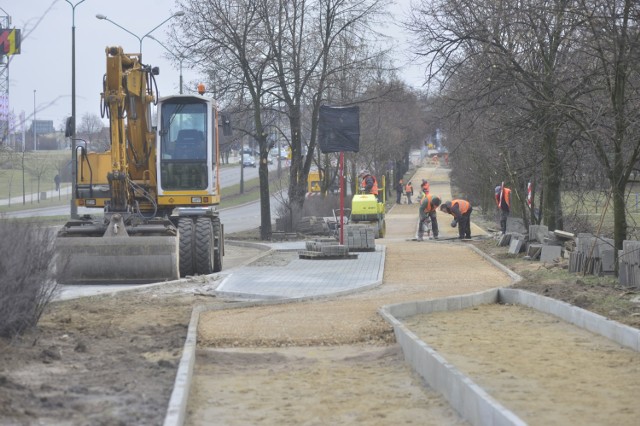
608	114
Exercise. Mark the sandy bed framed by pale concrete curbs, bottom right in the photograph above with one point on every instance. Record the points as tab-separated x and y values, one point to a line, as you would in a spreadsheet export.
545	370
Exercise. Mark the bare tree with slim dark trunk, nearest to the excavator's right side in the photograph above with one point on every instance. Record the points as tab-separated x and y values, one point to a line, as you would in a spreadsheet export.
227	37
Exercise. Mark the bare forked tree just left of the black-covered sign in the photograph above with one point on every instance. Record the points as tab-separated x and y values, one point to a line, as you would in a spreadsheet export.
303	37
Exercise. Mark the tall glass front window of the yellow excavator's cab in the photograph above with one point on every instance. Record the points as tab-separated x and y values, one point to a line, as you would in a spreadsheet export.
183	145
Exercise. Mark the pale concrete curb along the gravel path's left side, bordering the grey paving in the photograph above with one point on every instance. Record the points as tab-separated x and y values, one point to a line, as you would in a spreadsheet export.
177	407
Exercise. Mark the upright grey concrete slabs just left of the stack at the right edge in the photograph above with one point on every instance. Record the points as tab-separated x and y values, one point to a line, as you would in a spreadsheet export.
593	255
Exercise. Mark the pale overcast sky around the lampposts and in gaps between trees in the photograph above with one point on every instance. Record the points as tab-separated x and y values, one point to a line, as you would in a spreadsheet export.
44	63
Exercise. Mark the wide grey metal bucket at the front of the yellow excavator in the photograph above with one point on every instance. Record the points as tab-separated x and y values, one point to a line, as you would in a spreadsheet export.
116	257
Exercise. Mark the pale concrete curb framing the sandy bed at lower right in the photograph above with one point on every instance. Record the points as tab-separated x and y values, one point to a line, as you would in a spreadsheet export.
467	398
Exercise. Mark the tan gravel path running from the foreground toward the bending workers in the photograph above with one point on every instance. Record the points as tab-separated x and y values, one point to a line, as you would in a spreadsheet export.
335	361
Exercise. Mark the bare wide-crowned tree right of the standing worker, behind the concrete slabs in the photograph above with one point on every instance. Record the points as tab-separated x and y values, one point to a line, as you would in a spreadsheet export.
524	45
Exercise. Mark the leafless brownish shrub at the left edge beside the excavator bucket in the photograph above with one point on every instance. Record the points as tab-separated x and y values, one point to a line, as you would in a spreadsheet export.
27	281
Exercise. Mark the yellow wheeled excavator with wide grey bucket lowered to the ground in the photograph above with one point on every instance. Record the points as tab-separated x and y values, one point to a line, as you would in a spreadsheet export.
157	186
